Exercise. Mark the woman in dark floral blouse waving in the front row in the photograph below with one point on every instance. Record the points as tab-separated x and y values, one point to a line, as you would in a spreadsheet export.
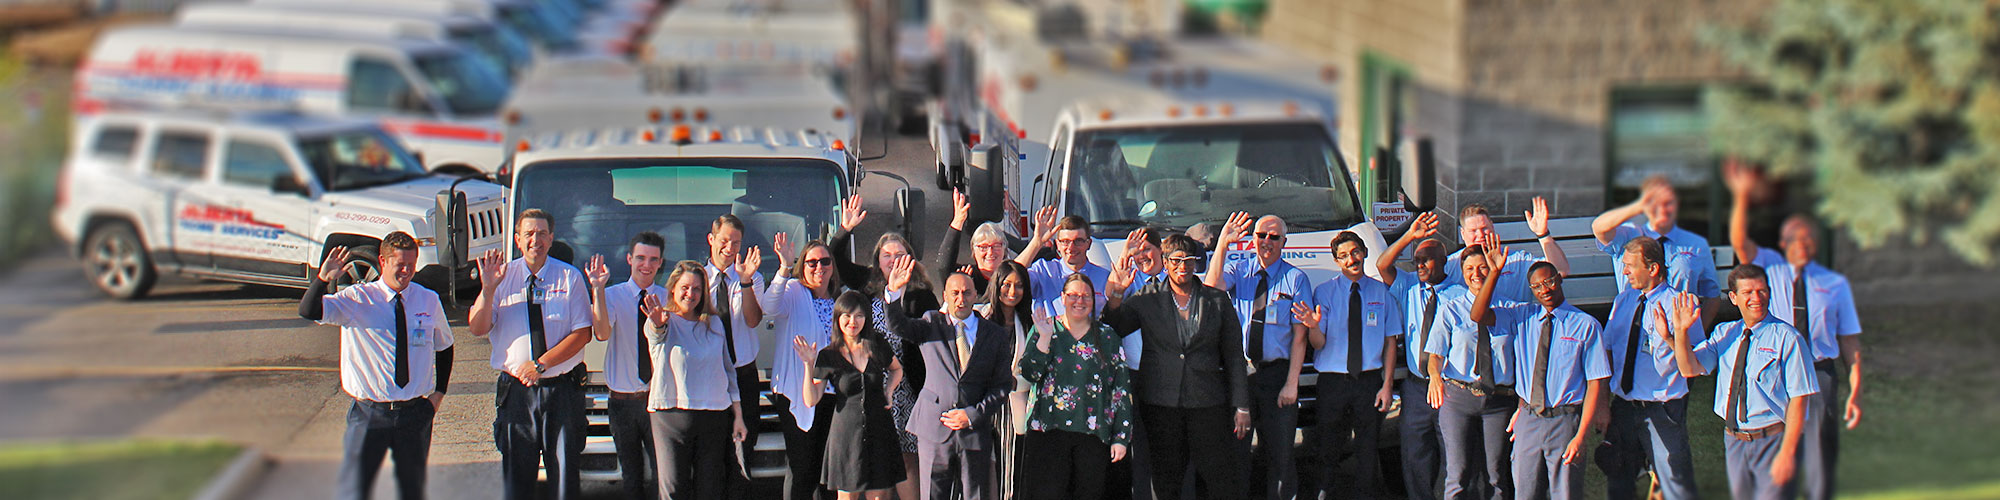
1083	409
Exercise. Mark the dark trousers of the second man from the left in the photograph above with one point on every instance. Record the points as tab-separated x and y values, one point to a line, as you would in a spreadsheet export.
535	427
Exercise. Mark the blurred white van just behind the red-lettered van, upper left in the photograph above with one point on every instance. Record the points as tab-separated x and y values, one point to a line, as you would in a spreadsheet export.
495	45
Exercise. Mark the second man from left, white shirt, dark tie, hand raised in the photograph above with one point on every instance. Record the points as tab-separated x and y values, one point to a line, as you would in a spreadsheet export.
539	315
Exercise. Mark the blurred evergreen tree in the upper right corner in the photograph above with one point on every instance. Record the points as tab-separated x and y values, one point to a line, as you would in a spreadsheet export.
1889	107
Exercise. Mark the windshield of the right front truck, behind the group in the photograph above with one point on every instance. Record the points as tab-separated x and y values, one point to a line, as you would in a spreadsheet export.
1183	175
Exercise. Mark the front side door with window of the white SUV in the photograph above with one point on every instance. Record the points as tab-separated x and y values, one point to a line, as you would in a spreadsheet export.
269	211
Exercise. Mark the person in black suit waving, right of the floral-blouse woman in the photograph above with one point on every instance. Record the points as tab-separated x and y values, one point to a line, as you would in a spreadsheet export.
1195	387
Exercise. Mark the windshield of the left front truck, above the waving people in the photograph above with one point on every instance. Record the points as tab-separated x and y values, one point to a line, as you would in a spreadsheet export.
601	205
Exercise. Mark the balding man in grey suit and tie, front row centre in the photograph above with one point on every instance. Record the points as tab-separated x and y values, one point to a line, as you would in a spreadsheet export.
969	375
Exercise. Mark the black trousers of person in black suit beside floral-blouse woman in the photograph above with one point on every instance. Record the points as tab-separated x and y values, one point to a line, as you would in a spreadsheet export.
1205	437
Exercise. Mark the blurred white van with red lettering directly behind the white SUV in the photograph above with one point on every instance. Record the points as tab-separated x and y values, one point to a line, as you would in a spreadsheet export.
431	95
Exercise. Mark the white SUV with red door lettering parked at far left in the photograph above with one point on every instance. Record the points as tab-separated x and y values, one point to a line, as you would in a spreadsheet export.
259	197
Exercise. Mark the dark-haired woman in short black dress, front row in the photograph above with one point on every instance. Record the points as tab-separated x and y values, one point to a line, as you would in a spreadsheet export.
863	451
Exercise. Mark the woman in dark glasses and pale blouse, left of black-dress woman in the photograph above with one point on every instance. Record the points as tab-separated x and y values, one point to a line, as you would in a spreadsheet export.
801	305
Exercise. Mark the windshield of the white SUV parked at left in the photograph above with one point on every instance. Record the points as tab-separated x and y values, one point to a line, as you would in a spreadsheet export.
361	159
